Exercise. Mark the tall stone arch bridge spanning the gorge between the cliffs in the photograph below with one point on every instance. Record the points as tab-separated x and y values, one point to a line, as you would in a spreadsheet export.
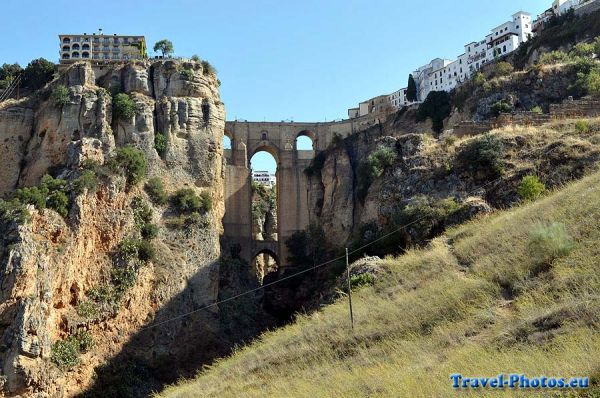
278	139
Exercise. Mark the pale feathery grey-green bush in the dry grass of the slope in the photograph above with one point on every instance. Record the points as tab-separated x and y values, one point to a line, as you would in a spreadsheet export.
548	243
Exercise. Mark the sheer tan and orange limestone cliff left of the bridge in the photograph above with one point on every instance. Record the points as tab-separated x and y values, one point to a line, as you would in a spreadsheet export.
49	263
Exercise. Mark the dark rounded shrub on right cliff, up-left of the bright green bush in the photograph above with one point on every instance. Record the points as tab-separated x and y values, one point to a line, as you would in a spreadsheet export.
483	155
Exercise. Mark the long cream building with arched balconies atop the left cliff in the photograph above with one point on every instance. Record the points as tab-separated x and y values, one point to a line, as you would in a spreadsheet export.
100	47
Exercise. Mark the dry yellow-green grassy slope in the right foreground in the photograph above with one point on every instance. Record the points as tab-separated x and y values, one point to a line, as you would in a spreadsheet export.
469	303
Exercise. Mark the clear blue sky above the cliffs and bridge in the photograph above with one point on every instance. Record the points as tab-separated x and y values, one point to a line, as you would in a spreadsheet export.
306	60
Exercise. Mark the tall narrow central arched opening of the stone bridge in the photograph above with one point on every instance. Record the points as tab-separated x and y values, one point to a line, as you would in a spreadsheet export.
263	171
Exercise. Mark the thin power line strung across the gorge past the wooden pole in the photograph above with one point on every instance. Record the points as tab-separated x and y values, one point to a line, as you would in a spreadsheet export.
216	303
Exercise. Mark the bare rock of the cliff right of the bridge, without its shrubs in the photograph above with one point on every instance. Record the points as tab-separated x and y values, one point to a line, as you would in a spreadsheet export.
428	168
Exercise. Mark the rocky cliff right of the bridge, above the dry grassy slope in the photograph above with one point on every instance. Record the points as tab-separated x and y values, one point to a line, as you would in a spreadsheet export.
378	179
